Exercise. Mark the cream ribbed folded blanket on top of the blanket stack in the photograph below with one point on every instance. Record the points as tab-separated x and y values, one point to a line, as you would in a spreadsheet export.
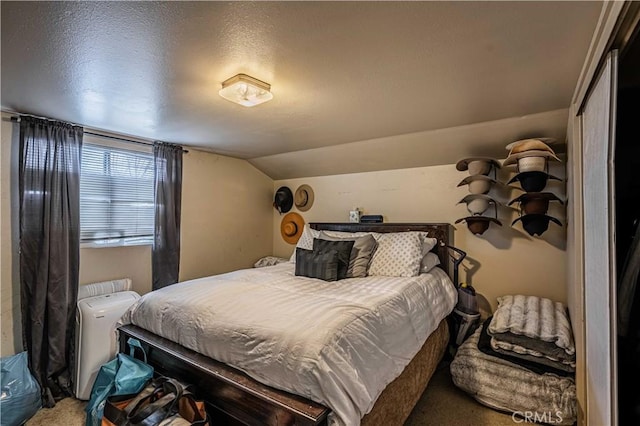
537	324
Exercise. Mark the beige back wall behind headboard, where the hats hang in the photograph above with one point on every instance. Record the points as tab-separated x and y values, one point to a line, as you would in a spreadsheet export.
503	260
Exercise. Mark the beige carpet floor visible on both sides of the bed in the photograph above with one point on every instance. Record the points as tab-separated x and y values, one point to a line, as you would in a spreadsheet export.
442	404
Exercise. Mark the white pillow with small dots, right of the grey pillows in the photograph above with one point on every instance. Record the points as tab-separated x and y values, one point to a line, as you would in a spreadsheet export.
399	254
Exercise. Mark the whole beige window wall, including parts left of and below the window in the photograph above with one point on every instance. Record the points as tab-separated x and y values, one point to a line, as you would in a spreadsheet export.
226	225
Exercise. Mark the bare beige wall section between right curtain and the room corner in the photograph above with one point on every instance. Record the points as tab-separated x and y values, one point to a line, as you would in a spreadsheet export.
226	215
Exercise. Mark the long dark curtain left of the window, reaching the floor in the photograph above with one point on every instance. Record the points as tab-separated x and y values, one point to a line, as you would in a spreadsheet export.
49	186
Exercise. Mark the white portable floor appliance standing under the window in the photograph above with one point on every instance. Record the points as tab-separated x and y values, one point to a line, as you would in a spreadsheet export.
96	320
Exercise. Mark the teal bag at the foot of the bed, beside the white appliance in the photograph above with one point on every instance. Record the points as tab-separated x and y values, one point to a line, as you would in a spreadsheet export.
122	375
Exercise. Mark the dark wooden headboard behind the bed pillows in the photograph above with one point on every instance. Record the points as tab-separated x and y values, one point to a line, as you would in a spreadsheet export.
443	232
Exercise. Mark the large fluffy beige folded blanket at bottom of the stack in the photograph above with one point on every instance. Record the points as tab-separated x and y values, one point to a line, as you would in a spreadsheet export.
506	386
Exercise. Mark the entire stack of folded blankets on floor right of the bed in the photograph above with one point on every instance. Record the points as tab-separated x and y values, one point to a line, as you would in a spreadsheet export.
522	360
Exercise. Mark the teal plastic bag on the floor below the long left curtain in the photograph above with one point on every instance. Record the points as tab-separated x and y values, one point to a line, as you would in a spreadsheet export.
20	398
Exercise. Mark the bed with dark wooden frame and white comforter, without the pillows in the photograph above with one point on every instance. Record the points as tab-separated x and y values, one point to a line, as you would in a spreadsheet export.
362	353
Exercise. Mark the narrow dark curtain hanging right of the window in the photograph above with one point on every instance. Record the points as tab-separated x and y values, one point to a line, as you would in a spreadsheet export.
168	198
